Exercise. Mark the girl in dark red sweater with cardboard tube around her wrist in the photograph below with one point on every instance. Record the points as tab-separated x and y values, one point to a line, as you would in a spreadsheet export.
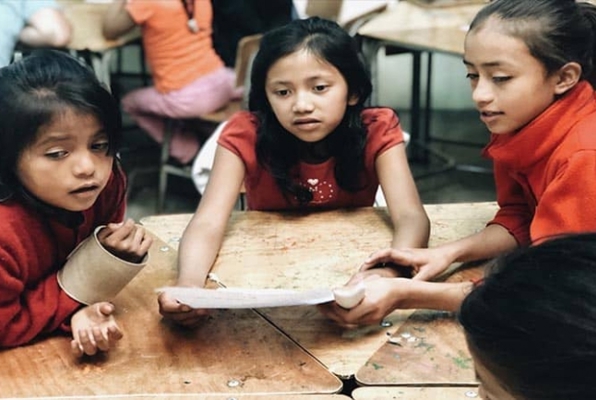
59	182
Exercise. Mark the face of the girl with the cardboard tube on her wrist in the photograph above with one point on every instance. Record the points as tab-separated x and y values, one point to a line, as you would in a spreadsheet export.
68	164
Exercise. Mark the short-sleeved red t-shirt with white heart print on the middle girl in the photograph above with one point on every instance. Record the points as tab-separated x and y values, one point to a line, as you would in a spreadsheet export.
262	193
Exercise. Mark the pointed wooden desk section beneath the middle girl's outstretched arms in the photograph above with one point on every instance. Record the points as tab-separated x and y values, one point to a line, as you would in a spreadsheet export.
293	251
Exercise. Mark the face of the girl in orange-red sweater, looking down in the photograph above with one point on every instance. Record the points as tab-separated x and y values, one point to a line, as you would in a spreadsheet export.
509	86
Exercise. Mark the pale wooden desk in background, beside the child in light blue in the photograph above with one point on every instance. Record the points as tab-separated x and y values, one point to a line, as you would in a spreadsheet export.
86	20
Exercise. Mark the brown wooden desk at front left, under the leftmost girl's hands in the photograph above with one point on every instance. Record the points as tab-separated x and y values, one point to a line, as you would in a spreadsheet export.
236	352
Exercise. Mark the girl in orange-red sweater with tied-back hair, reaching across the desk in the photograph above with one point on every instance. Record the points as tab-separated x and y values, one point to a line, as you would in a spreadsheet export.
530	65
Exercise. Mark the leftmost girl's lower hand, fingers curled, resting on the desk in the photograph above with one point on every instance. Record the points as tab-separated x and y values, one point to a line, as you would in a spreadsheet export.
94	329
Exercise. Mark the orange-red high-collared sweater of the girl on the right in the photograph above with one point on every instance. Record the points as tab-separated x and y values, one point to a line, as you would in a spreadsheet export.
545	172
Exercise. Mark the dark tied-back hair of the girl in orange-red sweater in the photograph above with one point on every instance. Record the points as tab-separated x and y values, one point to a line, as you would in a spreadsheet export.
556	32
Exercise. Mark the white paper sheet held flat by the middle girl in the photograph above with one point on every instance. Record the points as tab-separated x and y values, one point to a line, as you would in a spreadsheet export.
246	298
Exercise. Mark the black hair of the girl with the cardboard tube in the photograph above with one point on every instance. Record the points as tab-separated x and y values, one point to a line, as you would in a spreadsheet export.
37	89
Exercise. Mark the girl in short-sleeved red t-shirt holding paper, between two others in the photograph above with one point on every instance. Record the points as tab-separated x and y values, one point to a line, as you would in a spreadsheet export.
307	143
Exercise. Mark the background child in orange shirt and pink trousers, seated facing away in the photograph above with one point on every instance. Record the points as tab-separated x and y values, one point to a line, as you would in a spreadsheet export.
189	78
